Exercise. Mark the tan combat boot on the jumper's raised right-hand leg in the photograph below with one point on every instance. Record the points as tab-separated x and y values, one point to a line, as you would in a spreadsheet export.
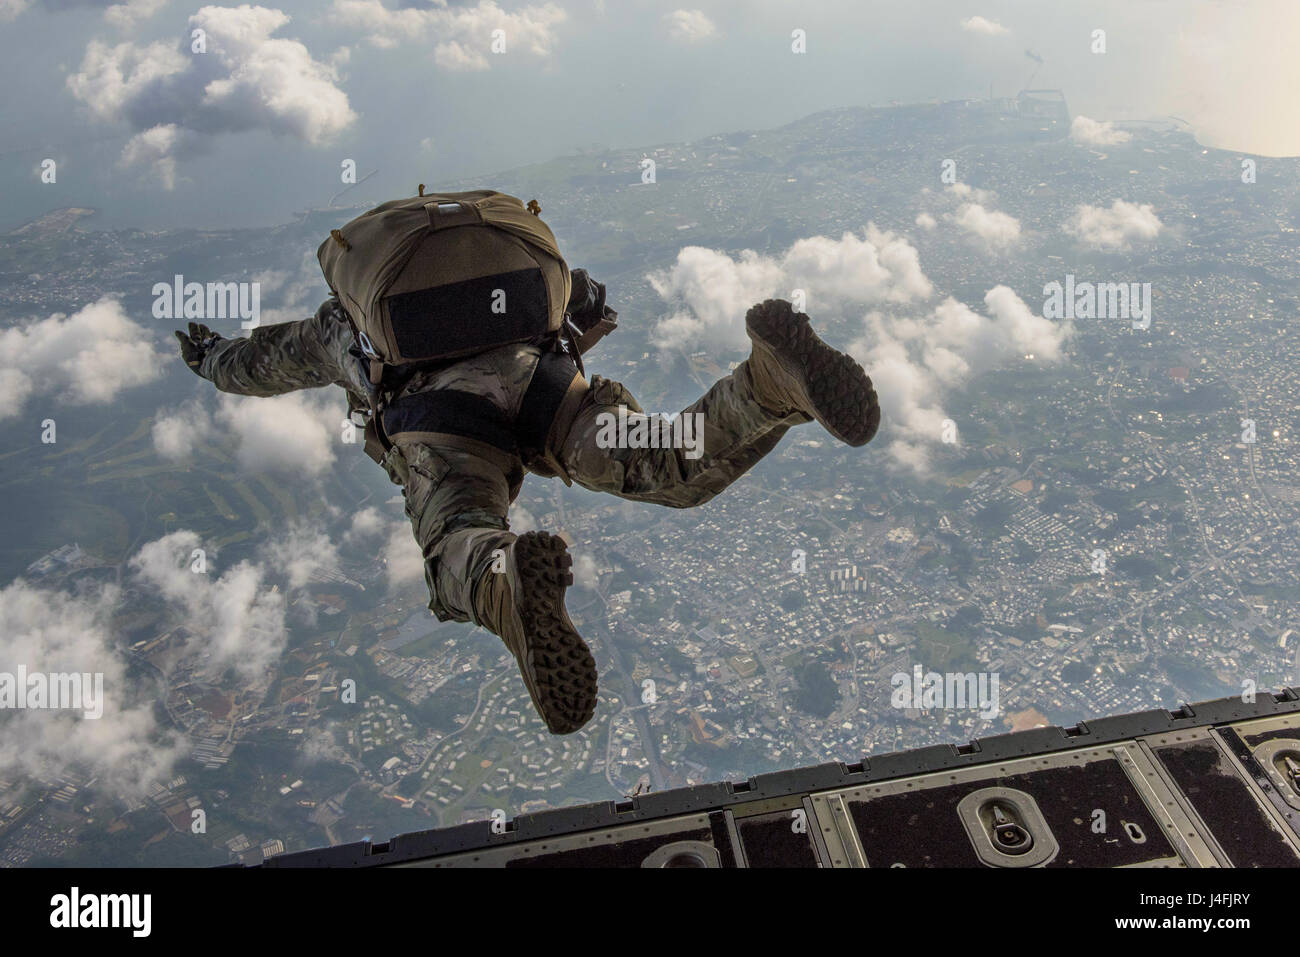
794	371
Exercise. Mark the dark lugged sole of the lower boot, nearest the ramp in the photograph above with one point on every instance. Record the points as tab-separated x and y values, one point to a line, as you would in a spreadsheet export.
560	665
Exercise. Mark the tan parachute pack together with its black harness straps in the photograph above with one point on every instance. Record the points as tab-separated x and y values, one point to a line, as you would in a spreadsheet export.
440	276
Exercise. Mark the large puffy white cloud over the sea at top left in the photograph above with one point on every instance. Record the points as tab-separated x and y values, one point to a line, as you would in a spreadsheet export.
248	80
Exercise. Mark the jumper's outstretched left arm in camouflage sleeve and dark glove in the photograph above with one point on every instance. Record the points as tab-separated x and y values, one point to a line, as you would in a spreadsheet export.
276	360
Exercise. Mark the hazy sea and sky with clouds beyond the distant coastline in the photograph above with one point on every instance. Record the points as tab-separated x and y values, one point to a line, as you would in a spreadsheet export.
255	128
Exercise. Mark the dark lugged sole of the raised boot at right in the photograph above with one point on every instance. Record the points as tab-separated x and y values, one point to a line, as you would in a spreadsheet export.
839	392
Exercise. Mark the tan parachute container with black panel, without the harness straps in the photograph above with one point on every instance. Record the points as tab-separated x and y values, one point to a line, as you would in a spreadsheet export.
447	275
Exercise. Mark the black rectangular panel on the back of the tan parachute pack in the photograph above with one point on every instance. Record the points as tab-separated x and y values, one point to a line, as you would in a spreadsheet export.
458	318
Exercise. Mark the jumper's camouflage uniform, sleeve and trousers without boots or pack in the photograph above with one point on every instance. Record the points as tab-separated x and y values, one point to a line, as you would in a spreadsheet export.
458	491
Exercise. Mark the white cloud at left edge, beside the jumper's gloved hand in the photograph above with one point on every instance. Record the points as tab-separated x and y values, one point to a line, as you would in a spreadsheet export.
88	358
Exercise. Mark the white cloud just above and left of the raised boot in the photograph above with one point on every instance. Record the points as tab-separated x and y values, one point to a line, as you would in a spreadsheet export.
712	292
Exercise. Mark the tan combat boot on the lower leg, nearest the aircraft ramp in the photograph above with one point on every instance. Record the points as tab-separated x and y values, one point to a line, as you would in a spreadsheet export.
525	605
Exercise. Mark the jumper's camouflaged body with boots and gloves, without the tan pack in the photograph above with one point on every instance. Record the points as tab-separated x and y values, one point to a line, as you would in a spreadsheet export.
463	464
